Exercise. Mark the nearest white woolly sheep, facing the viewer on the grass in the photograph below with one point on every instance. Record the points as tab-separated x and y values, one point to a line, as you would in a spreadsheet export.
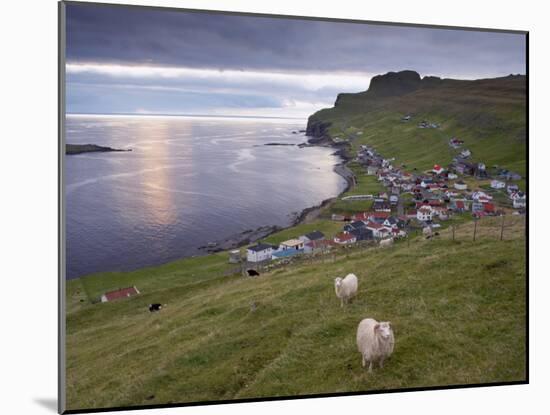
374	341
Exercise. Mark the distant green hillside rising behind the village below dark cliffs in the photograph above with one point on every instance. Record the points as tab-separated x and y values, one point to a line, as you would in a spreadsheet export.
489	115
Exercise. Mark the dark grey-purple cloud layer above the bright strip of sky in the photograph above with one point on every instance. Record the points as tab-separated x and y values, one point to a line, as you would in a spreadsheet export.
102	33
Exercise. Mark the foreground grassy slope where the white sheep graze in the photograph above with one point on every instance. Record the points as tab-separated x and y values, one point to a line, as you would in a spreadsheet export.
457	308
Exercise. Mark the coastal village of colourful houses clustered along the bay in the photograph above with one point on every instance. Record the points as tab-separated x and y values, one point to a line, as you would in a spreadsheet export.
411	201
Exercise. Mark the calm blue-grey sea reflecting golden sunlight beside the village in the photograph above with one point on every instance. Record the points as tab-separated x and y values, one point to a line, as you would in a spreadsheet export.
189	181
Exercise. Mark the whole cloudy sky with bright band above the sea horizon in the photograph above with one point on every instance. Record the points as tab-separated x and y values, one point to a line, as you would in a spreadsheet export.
135	60
